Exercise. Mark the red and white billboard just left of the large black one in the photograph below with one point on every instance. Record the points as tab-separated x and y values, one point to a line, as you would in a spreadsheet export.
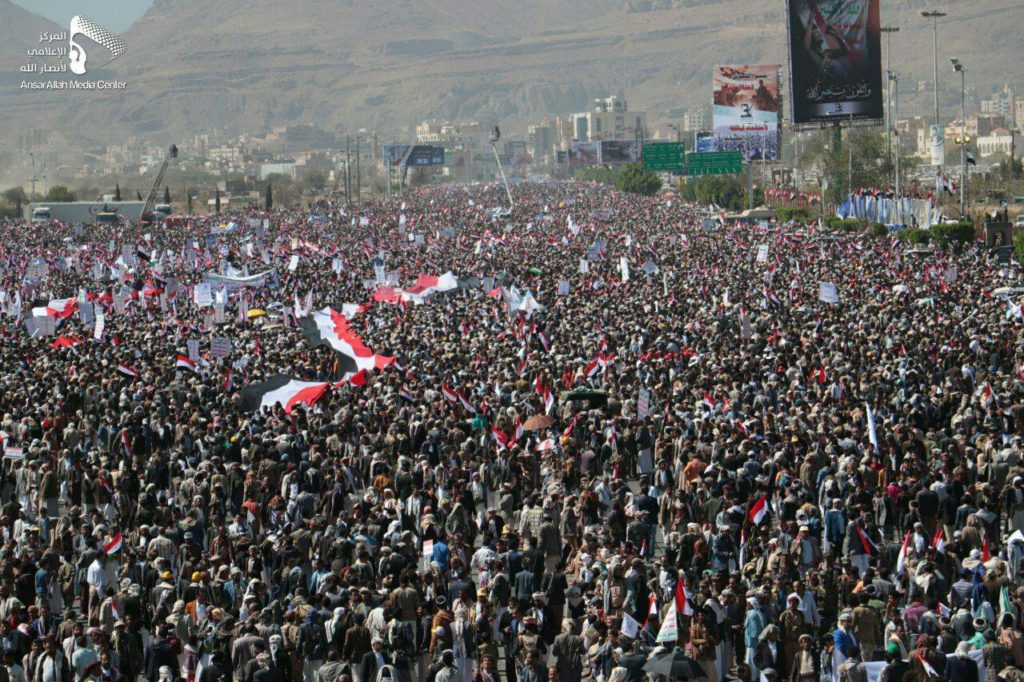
746	110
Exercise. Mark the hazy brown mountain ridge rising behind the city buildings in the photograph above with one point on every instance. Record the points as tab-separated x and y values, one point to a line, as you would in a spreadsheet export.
245	66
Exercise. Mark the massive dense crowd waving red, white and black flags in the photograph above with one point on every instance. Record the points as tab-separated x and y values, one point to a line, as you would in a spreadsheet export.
633	441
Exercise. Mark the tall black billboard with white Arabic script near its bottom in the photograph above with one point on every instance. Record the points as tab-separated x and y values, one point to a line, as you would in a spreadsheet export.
835	60
